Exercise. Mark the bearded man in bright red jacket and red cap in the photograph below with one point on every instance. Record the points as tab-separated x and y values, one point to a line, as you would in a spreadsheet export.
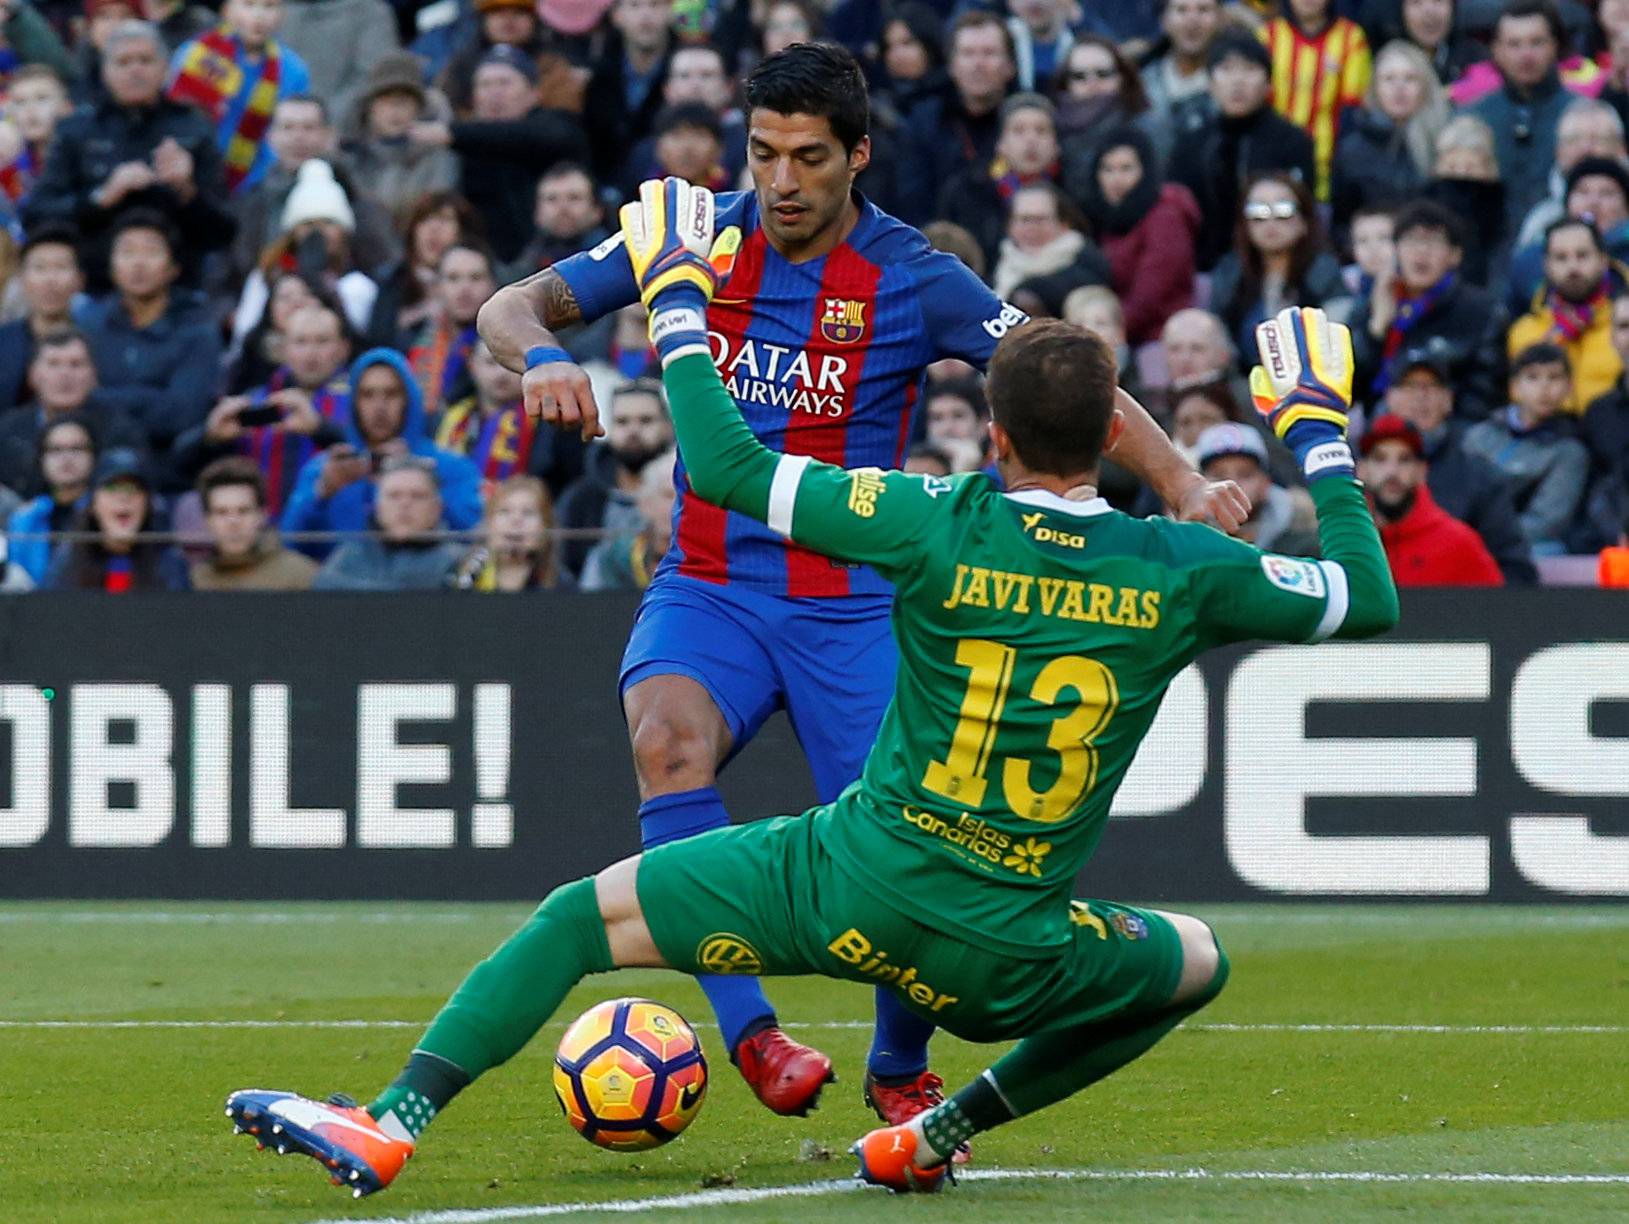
1425	545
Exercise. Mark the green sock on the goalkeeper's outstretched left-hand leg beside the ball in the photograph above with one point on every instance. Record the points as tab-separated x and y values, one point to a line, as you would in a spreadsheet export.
504	1002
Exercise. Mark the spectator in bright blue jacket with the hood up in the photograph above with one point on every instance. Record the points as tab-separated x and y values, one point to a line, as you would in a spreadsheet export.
336	490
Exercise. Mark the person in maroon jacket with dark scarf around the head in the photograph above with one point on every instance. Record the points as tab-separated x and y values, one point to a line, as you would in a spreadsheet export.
1146	227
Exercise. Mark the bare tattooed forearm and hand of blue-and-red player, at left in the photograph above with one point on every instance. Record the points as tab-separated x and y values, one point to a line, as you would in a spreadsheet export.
522	317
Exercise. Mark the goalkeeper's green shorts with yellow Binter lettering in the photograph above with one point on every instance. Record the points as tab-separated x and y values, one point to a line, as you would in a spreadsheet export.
766	899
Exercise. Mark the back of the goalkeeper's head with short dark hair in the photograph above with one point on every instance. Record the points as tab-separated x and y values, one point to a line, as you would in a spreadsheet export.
1052	389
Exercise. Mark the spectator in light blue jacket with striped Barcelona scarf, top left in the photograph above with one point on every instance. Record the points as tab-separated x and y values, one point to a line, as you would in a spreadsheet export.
237	74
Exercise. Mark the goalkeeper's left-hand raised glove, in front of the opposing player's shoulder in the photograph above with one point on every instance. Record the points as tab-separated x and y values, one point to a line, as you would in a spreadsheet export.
677	262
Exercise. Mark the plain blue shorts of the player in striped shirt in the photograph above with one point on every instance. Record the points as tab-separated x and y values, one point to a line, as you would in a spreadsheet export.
828	664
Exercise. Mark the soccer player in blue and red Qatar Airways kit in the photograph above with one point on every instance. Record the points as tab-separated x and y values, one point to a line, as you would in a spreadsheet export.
822	335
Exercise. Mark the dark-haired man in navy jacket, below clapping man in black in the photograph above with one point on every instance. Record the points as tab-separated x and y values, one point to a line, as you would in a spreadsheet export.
156	348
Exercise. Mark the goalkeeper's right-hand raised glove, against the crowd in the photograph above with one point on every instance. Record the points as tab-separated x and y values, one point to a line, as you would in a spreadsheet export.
1304	389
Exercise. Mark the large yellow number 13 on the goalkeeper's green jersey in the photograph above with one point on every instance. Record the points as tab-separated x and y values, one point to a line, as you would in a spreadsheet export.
962	775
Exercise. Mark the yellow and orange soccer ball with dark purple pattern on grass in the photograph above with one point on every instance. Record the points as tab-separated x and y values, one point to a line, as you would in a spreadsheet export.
630	1075
